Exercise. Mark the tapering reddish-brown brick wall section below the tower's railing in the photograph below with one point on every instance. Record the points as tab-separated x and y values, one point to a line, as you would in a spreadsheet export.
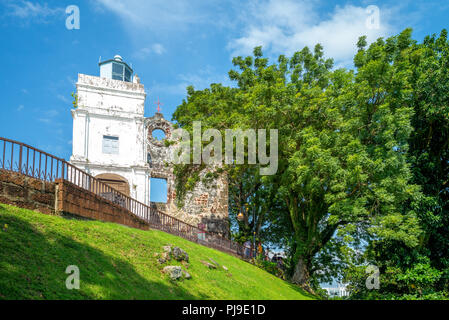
75	200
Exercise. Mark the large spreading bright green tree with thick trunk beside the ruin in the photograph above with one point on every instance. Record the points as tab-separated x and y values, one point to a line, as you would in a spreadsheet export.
342	144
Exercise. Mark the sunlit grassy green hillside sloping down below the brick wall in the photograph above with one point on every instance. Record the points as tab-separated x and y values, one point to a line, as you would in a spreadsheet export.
116	262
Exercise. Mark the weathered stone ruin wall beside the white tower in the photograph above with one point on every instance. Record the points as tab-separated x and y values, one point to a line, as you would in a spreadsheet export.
205	204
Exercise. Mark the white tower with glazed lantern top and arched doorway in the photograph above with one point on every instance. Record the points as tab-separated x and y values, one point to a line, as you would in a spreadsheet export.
108	129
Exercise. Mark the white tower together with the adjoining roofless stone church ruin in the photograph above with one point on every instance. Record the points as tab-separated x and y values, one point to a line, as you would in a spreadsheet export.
114	142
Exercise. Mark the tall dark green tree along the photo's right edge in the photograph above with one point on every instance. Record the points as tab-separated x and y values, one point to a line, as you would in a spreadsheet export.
429	147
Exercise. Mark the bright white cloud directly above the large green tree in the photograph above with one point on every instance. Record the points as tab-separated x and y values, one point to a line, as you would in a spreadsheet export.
286	26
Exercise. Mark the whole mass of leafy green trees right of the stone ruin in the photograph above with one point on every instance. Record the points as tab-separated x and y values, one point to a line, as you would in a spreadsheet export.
362	157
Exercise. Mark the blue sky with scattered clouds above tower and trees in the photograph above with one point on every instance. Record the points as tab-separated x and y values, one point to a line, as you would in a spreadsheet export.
170	44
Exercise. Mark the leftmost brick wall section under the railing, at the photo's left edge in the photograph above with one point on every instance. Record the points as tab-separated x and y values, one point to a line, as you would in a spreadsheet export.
26	192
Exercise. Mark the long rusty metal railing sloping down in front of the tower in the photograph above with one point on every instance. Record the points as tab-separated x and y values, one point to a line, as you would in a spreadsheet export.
19	157
